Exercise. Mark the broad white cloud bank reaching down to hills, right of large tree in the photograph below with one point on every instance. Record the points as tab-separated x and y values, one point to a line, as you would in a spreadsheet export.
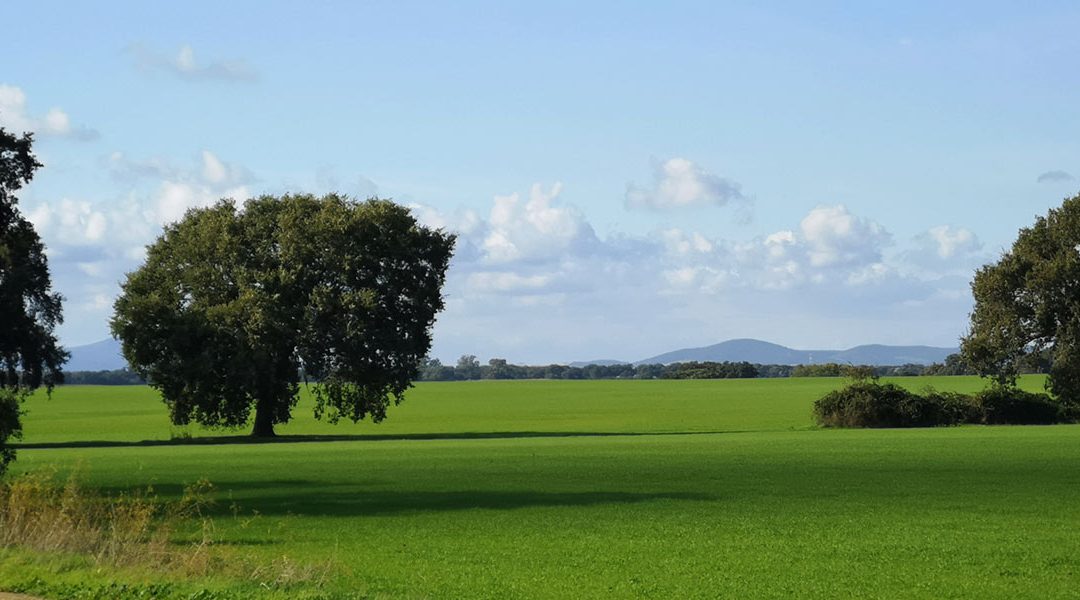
627	296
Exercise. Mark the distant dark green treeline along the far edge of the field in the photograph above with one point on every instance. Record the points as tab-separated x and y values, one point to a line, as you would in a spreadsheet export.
469	369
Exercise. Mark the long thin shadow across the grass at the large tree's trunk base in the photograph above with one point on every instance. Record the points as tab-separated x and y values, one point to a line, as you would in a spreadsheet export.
303	439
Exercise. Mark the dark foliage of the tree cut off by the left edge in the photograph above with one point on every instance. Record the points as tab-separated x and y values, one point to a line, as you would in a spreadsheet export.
30	310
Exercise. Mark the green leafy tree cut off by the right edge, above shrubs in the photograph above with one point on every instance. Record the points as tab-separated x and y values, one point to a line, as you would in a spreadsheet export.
1028	306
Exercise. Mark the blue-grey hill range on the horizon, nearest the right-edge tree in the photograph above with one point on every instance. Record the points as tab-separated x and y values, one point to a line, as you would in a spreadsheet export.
765	353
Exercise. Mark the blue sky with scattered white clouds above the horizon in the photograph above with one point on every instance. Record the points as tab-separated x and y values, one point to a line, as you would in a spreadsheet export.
626	179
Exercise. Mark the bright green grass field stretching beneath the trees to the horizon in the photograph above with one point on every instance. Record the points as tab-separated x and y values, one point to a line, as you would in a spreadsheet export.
651	489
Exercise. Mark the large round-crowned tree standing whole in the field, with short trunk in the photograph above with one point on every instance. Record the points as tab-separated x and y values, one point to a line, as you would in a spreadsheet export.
234	308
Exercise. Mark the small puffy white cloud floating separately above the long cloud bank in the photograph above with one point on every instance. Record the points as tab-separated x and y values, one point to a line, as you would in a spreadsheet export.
679	183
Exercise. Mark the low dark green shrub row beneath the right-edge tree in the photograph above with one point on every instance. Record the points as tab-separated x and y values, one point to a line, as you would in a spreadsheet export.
868	403
